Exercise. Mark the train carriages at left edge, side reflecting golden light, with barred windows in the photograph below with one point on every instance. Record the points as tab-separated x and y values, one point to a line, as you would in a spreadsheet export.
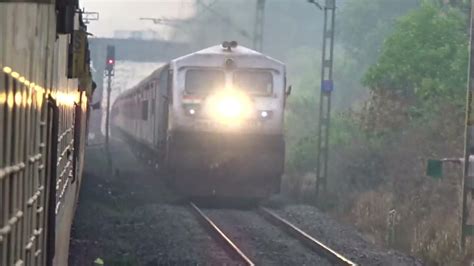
45	90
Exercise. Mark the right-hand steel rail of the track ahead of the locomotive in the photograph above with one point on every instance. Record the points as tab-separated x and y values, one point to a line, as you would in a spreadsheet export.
306	239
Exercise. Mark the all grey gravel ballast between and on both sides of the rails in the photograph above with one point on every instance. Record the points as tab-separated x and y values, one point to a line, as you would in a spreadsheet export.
126	215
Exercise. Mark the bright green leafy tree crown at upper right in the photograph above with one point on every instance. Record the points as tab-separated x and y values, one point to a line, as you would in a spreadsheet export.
426	56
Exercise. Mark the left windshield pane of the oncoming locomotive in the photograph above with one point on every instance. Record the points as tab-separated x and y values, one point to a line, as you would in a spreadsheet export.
200	81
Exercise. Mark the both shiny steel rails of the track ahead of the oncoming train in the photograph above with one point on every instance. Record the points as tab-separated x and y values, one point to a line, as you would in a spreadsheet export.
296	233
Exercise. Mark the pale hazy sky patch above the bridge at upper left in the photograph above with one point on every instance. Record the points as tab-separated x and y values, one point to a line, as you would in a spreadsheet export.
125	14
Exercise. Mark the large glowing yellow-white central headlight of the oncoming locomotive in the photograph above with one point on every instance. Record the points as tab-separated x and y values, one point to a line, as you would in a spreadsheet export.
230	106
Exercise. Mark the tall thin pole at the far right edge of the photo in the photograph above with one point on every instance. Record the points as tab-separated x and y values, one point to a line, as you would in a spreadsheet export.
468	178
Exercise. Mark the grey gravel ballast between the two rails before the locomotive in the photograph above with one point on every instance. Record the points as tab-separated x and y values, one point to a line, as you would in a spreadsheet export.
264	243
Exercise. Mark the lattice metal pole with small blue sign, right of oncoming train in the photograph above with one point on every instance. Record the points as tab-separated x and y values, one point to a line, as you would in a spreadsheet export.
327	86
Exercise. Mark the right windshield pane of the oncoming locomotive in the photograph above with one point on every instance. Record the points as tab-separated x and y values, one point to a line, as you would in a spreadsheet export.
254	82
